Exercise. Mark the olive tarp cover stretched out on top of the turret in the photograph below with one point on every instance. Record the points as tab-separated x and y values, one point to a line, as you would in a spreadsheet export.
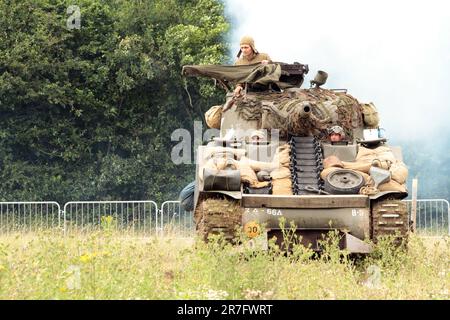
254	74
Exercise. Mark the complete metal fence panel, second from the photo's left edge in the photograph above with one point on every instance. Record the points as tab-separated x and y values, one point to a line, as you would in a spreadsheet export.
132	217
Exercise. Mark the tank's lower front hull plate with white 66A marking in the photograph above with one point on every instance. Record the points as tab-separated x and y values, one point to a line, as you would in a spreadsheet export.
313	217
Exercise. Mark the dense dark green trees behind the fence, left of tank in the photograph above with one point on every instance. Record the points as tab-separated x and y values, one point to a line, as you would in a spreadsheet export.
87	113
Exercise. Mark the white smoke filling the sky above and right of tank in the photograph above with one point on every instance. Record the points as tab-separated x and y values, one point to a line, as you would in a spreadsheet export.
395	54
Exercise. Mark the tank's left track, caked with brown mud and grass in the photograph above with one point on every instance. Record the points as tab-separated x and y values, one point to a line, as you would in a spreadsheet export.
218	215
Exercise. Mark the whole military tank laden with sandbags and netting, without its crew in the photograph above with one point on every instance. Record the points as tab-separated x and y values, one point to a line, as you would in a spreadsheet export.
273	159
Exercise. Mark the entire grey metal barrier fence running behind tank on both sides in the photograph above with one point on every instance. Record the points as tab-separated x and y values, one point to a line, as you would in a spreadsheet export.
143	218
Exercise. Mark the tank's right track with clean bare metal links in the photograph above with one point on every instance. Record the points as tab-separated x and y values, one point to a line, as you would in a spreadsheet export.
389	217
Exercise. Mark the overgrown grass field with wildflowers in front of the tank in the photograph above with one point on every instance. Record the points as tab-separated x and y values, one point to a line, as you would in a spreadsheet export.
107	265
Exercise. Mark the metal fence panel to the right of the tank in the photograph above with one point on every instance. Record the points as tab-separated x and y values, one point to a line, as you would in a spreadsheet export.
433	216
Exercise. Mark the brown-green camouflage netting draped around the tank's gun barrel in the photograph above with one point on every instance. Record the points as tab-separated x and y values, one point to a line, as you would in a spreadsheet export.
284	111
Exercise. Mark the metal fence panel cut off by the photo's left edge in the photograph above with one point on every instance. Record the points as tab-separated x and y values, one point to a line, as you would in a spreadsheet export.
29	216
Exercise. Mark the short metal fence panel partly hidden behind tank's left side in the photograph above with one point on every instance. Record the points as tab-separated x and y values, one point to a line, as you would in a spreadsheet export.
175	221
